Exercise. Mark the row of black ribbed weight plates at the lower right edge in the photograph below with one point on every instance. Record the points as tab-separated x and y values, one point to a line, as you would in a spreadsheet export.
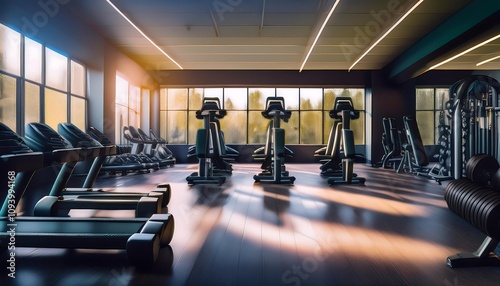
478	205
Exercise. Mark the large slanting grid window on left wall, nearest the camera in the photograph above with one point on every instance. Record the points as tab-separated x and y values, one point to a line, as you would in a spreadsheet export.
48	87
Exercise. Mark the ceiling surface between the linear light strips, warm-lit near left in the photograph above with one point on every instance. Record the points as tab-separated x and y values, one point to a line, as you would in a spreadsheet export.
277	35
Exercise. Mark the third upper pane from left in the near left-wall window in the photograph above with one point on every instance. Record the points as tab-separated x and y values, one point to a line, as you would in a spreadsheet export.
56	70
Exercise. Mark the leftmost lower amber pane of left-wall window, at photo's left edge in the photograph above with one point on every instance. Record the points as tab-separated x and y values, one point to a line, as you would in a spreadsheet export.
8	92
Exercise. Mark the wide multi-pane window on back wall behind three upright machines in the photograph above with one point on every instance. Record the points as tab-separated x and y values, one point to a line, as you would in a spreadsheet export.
244	124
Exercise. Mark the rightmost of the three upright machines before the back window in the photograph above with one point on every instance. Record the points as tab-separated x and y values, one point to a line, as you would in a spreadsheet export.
343	112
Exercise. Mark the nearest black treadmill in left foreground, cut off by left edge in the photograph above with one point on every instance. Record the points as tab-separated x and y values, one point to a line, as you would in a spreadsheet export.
140	237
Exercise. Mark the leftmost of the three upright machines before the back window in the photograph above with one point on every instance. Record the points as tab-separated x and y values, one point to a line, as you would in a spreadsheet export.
210	149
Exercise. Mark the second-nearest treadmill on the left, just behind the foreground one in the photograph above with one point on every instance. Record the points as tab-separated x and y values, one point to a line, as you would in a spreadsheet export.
42	138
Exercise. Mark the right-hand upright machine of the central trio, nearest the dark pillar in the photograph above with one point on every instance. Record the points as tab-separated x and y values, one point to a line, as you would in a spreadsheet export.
338	156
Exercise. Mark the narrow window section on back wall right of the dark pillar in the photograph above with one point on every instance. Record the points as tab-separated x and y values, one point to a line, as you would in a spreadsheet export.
430	104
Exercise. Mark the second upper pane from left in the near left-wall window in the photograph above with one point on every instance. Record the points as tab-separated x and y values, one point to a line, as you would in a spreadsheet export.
33	60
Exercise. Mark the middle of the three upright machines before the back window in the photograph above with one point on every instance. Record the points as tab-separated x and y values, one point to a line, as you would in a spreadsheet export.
274	161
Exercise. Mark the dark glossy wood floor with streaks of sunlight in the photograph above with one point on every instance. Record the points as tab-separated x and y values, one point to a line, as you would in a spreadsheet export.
395	230
